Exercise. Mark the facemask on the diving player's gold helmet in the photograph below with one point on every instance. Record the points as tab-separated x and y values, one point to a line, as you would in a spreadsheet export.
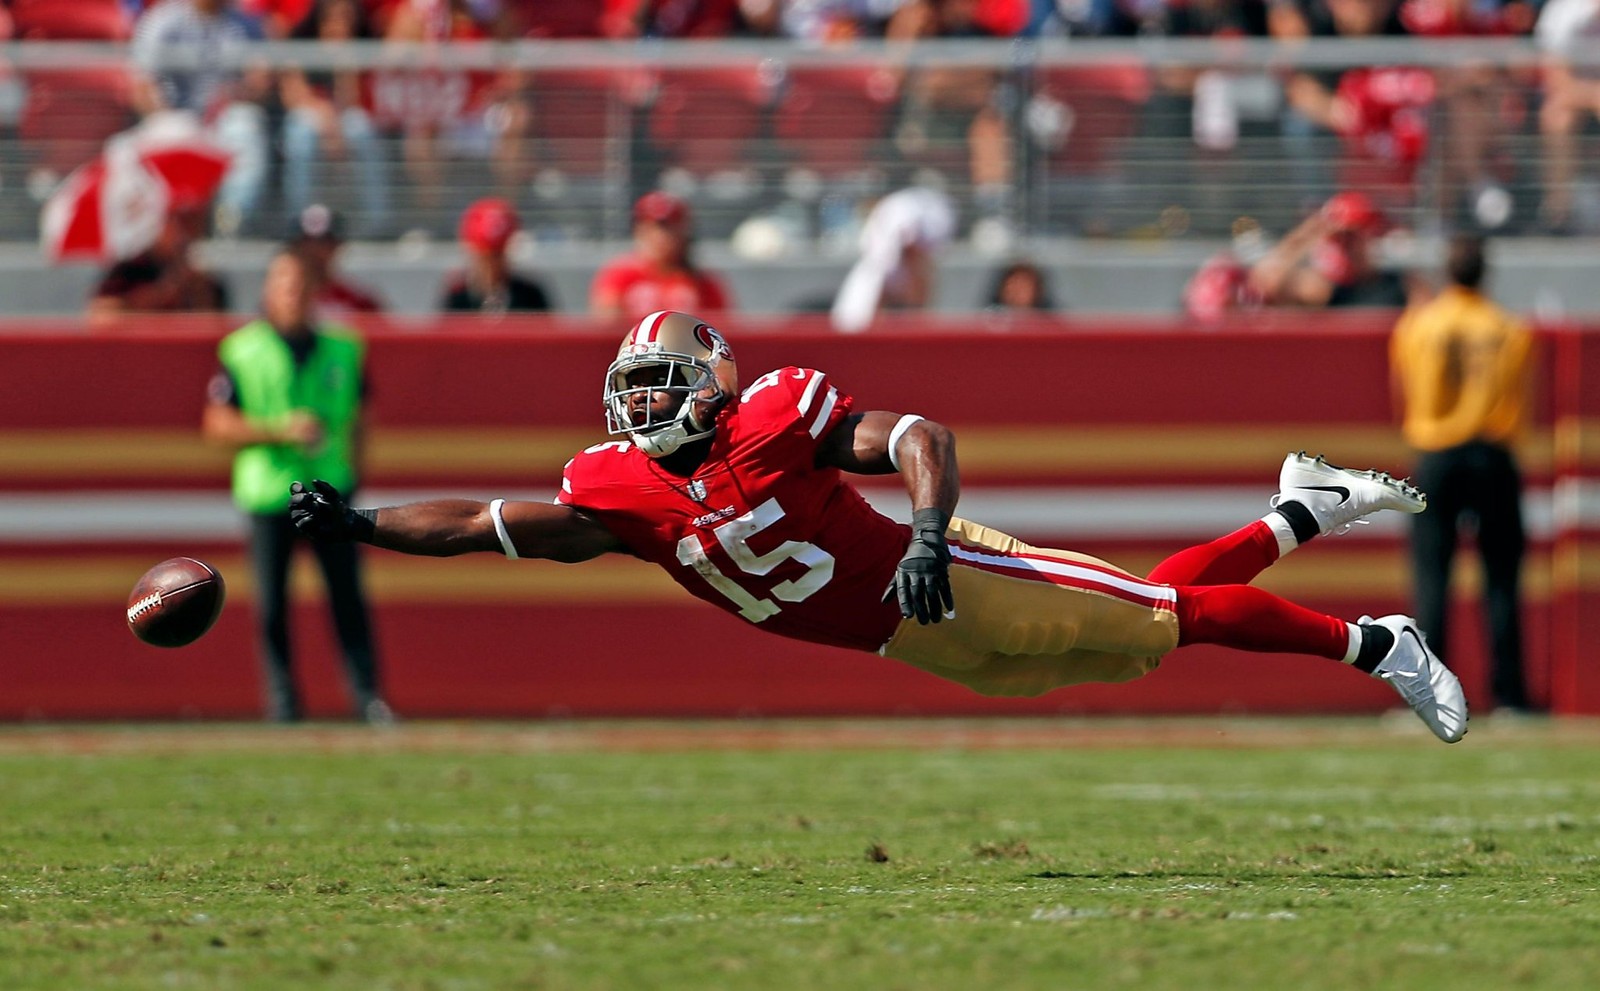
689	379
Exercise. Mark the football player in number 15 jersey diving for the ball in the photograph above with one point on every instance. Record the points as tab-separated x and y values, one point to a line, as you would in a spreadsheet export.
742	499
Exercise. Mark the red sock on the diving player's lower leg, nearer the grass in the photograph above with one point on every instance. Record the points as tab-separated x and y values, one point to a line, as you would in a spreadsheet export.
1250	619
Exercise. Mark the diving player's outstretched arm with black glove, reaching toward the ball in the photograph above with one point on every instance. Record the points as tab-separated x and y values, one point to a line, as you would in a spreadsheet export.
449	528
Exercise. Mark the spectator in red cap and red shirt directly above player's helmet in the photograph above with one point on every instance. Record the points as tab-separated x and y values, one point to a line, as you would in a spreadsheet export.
660	273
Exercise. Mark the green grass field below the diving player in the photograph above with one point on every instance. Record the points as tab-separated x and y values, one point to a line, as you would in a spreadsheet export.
1326	854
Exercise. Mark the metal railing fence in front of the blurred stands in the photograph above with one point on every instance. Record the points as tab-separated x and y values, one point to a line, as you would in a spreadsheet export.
778	148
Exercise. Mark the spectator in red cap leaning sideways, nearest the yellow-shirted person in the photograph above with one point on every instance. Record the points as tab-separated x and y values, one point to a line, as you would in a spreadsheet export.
1329	260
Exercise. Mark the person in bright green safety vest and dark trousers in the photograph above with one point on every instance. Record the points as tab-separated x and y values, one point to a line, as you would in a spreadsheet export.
287	401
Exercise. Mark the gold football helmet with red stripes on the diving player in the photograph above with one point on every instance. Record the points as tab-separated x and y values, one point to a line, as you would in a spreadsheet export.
687	358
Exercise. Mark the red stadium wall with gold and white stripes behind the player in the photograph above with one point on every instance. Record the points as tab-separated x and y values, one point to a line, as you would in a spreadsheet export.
1116	439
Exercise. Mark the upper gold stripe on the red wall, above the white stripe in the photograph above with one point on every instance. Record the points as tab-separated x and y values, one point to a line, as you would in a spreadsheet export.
1060	451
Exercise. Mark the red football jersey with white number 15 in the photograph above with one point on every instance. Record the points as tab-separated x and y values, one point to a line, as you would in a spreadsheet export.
759	531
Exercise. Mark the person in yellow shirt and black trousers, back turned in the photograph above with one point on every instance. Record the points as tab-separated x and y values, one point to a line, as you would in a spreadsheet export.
1462	375
